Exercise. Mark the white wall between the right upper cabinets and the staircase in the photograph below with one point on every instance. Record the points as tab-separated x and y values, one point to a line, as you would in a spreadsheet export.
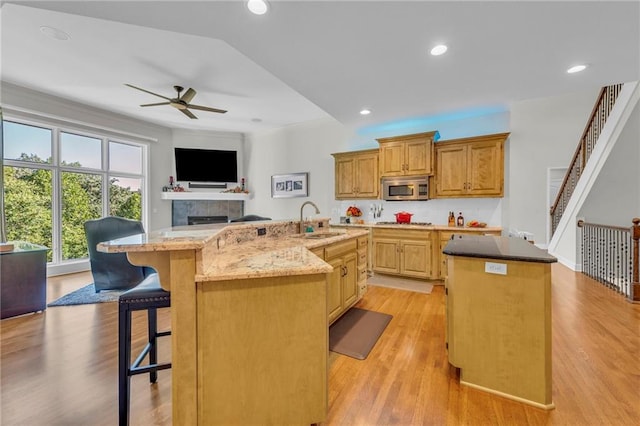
544	134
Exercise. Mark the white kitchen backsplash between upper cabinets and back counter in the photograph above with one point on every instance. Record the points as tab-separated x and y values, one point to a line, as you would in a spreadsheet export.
487	210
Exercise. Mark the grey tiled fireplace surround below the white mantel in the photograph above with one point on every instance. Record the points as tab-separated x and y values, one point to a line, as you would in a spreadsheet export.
182	210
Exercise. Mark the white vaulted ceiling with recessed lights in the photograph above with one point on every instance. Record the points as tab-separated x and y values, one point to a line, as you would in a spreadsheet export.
306	60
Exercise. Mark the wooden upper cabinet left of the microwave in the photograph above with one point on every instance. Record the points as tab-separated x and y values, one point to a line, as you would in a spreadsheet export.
356	175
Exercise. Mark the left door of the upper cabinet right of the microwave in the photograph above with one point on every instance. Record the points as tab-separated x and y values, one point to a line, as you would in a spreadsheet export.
451	165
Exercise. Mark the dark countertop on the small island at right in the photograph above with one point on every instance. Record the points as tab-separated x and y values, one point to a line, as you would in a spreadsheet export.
504	248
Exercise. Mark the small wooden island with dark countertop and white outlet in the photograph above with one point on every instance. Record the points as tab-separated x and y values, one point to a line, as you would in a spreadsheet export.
498	316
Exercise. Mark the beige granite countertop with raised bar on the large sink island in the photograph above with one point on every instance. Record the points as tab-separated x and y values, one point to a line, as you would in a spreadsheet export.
235	251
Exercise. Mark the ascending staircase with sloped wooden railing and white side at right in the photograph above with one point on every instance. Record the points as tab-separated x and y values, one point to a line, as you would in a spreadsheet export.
610	114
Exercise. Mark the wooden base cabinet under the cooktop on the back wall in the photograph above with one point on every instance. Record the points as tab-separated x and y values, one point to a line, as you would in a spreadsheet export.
403	252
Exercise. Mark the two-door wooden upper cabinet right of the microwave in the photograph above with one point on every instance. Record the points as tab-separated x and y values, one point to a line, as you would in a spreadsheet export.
470	167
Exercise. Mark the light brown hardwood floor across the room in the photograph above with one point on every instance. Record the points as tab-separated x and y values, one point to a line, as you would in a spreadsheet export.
60	367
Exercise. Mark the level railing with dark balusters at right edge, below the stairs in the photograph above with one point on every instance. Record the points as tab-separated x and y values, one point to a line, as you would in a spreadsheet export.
610	256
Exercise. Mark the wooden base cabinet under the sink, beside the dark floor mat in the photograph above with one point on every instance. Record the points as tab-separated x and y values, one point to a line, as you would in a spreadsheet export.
343	282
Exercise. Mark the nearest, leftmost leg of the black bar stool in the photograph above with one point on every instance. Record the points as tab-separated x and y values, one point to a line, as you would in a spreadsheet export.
124	362
